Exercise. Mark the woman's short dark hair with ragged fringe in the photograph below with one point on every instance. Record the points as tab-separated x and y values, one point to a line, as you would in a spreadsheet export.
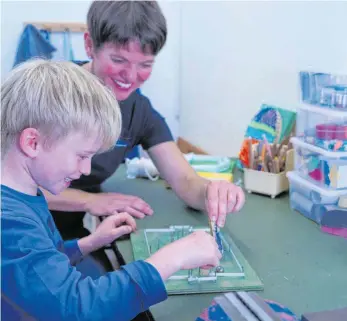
120	22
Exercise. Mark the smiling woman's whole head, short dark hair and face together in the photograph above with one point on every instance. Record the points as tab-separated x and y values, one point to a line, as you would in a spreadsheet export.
123	49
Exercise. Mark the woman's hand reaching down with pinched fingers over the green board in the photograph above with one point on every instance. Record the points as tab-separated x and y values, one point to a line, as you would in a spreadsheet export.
221	199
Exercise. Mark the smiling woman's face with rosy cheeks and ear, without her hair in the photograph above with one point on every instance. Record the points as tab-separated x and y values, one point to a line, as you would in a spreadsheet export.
121	69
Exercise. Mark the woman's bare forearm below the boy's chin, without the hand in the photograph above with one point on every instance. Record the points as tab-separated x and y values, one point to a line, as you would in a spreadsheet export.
70	200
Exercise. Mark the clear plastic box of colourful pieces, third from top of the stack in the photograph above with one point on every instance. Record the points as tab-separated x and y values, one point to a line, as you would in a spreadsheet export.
324	168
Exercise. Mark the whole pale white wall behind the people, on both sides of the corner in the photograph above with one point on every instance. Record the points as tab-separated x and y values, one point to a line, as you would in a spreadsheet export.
222	59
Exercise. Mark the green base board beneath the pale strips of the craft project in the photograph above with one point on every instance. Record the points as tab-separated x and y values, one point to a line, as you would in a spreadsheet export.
249	282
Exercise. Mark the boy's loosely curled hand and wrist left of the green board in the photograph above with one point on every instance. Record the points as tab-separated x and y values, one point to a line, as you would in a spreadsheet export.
111	228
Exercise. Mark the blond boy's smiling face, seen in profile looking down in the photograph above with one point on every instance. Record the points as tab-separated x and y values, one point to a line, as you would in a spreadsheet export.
54	168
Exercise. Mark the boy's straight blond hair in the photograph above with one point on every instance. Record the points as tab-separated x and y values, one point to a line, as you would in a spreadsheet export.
57	98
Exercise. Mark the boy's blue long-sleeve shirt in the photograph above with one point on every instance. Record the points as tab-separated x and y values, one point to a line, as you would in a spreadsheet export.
39	279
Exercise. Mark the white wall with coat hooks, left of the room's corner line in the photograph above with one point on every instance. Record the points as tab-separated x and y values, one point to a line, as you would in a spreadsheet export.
163	86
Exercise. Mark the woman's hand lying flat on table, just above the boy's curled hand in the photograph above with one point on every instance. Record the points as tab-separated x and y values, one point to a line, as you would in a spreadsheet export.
103	204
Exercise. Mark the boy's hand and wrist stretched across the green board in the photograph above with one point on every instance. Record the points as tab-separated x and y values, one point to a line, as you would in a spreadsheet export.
198	249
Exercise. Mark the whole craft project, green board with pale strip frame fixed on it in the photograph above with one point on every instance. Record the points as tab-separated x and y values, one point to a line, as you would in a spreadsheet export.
234	272
